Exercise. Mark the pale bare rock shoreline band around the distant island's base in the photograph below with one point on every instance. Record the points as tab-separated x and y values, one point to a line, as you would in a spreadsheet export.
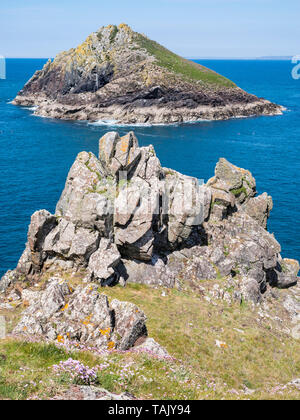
146	115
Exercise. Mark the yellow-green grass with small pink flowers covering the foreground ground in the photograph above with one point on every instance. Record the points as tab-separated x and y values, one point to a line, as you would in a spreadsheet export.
256	356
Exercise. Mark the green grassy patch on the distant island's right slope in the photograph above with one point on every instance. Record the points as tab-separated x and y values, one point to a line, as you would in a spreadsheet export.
179	65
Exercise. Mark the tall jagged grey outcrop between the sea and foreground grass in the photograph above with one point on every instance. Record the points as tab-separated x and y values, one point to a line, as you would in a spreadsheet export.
124	218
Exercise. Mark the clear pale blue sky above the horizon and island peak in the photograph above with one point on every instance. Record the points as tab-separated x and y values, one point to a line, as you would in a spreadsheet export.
191	28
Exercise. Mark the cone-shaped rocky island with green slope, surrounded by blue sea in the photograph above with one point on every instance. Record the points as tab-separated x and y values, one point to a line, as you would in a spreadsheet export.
118	74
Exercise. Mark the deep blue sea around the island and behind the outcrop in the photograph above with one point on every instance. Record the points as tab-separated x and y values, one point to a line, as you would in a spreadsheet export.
36	153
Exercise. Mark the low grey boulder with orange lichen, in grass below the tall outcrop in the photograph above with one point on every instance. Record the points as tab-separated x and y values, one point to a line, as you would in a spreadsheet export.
82	316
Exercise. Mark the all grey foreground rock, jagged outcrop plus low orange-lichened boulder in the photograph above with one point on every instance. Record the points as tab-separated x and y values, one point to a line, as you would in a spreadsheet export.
122	218
